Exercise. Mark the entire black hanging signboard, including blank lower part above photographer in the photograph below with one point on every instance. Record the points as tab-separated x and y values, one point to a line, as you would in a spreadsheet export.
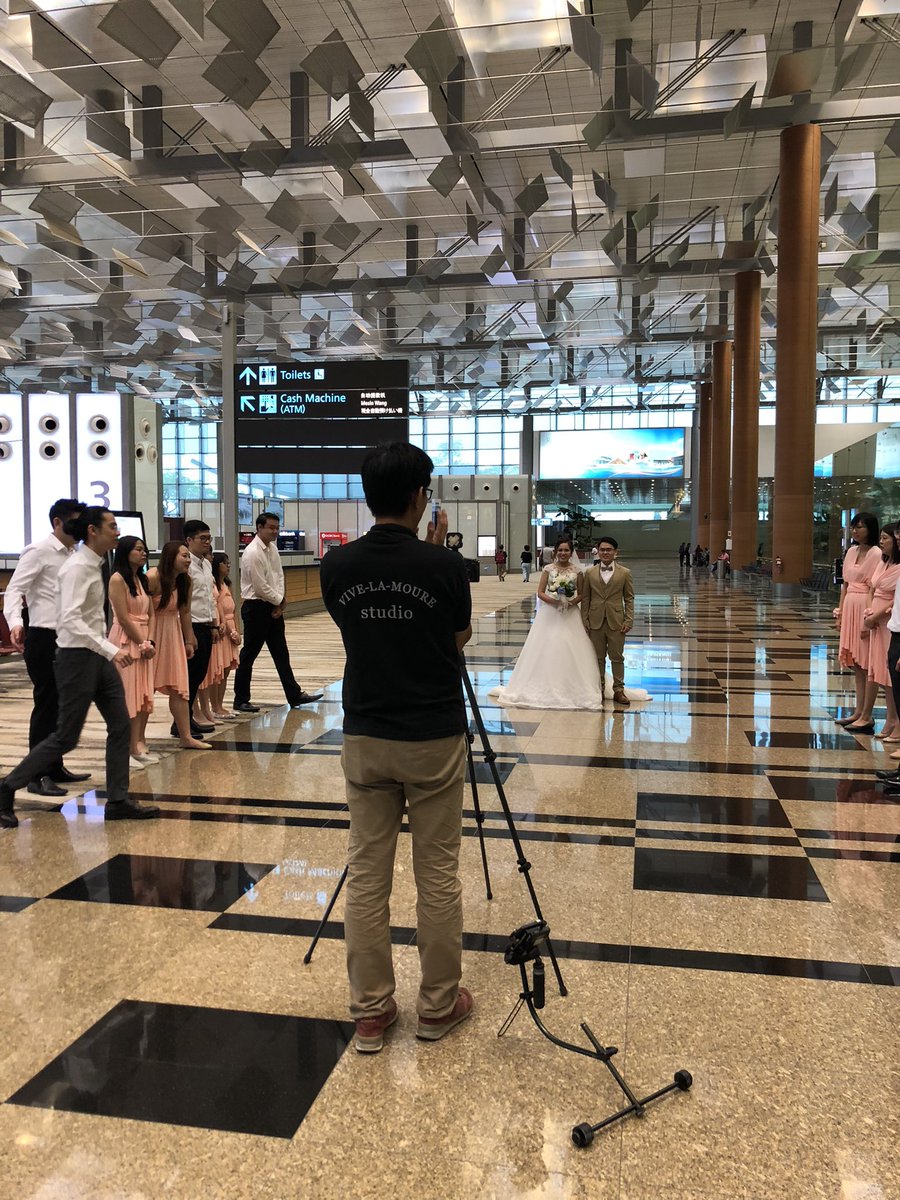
317	417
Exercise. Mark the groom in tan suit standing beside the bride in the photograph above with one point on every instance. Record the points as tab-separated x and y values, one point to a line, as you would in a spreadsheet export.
608	610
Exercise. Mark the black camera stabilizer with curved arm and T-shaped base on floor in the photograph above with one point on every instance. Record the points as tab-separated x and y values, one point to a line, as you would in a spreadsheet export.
525	947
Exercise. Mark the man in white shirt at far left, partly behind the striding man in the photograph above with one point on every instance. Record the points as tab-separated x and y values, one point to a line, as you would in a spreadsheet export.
35	583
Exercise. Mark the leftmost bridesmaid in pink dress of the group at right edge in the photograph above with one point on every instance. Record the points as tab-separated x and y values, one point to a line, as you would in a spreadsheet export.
860	565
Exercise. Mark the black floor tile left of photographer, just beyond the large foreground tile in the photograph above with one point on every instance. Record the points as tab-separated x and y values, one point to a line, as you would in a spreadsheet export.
157	883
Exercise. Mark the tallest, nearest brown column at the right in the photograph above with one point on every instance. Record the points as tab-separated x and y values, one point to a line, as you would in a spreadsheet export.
796	356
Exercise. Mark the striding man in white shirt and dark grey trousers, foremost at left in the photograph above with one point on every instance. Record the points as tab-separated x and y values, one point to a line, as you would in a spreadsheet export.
86	675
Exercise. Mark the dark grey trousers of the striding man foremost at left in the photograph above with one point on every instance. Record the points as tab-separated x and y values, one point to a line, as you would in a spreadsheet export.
83	679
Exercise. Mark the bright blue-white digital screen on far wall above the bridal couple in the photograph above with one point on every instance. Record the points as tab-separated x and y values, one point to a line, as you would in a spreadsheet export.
611	454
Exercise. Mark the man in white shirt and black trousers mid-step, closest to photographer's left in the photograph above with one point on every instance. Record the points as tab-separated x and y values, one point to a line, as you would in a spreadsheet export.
263	617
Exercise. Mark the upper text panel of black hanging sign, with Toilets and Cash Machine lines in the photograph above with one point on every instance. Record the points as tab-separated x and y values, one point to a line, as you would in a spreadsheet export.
303	391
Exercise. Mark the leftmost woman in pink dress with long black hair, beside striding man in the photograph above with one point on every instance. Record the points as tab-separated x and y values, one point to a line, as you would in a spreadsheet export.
134	631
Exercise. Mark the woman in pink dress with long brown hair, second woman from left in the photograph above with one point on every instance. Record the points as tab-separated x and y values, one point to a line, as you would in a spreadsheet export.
170	586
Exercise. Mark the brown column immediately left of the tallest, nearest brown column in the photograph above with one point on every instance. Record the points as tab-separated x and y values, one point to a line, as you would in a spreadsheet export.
746	430
